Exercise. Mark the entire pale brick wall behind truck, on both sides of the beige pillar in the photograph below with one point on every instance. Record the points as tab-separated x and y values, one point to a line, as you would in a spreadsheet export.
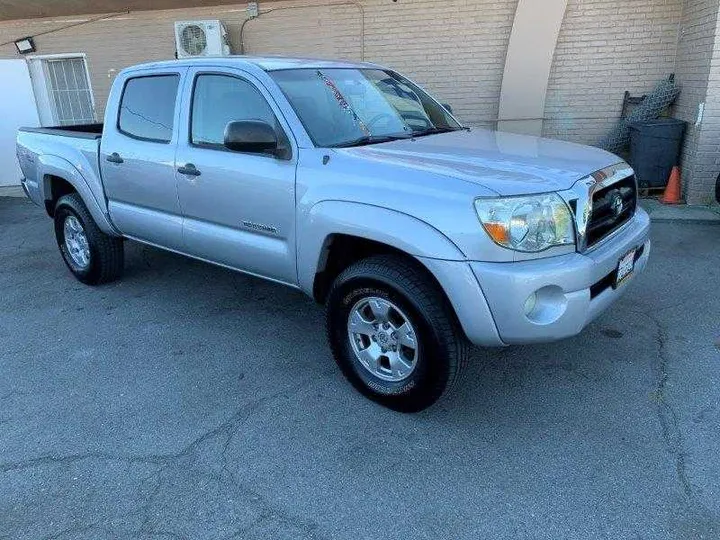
456	48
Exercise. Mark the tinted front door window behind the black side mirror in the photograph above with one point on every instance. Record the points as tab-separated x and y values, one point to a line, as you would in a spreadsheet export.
219	100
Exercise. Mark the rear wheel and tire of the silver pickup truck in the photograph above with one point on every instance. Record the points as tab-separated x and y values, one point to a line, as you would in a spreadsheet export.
102	258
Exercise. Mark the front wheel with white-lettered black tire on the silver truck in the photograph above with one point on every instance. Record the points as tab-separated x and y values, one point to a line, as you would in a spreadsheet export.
403	286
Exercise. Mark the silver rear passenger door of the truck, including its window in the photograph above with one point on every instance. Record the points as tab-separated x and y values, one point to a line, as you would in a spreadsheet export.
137	157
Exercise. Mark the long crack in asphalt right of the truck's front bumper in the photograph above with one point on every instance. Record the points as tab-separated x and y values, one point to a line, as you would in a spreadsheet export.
667	416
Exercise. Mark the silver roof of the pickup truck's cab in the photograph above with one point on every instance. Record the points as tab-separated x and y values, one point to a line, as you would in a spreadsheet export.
266	63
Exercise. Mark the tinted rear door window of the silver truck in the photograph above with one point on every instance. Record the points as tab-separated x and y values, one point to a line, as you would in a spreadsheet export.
147	109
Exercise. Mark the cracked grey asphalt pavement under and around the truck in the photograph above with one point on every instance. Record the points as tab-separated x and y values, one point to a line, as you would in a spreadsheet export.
188	401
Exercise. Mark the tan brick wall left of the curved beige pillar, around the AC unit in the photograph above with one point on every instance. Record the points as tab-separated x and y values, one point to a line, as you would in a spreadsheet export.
456	49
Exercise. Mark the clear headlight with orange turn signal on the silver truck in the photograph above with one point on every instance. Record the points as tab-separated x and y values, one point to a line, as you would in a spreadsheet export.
528	223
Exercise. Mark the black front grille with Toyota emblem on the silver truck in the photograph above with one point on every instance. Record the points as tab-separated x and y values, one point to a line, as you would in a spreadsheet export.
607	215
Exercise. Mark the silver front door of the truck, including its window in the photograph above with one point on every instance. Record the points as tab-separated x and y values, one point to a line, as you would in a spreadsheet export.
239	208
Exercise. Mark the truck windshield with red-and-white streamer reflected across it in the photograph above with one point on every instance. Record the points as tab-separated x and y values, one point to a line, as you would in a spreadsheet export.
349	107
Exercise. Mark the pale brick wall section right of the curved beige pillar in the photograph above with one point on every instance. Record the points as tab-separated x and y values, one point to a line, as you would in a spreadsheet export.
604	48
